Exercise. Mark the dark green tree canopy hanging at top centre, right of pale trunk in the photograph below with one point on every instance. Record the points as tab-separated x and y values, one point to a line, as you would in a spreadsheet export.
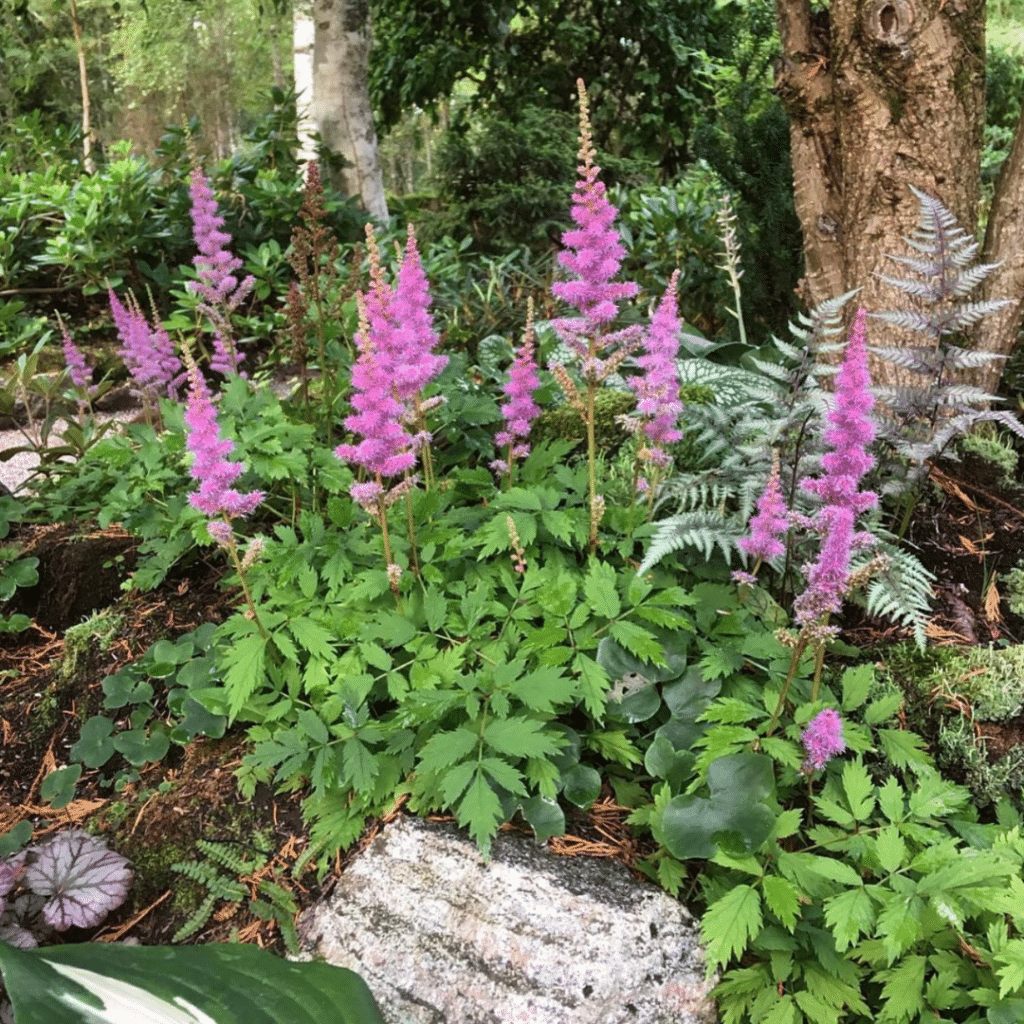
646	63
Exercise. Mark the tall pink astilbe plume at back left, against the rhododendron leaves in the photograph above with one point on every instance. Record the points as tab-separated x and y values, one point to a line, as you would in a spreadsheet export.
219	285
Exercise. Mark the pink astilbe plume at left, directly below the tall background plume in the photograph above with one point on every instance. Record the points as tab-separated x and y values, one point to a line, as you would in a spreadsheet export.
210	466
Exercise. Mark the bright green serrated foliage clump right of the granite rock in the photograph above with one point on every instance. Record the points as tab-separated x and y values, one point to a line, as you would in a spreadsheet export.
878	894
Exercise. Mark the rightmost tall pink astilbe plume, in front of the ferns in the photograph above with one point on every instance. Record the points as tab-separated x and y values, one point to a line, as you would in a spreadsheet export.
850	433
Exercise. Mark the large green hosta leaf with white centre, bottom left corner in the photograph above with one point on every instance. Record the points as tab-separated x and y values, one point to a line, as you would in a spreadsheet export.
216	985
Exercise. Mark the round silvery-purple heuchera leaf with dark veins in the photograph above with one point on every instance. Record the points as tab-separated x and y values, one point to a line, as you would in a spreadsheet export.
84	880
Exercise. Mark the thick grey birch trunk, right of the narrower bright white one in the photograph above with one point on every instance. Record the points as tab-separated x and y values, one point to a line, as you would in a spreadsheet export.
340	107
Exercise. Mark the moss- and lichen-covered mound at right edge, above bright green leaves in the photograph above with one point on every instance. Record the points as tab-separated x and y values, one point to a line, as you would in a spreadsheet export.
971	704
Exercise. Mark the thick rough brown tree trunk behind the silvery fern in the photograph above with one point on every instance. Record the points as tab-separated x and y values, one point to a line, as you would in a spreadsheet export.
882	95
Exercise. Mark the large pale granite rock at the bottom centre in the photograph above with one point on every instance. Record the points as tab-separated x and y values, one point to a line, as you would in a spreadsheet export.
442	937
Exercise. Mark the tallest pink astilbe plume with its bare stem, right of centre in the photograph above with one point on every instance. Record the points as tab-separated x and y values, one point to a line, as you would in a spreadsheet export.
593	253
